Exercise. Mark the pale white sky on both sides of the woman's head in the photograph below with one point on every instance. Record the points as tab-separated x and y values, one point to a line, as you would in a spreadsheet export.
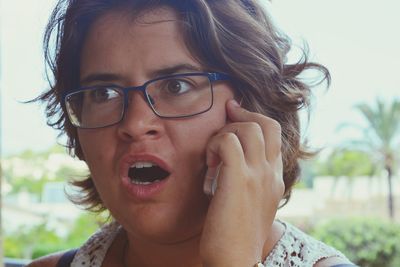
358	40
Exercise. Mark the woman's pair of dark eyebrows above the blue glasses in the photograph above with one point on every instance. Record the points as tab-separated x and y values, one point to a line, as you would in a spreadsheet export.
163	71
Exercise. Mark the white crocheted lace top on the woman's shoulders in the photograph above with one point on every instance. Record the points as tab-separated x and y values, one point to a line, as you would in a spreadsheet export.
294	249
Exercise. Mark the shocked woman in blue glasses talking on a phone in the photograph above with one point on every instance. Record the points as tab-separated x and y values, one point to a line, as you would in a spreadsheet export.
186	115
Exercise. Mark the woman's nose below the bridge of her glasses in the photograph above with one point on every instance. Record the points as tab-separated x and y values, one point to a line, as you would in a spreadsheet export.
139	122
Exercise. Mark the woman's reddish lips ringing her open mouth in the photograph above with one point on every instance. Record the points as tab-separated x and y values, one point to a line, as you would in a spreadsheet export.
142	192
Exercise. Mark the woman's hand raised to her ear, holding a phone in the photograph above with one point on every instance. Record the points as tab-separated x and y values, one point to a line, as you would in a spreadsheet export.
247	152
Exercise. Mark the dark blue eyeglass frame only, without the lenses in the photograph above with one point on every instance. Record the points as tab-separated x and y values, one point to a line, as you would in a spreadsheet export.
212	76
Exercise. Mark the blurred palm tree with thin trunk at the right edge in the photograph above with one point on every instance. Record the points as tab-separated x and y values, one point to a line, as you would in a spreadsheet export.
382	138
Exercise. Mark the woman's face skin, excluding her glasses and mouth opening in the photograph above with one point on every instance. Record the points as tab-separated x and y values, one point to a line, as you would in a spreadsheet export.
128	52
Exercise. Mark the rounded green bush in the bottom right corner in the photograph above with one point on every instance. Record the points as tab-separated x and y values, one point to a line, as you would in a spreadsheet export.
367	242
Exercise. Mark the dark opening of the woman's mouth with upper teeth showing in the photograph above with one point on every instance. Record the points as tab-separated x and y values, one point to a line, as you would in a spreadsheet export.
144	173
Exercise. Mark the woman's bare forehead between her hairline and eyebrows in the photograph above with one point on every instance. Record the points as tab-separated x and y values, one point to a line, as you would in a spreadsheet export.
120	41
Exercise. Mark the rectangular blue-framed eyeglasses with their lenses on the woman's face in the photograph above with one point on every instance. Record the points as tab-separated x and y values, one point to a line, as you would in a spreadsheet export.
172	96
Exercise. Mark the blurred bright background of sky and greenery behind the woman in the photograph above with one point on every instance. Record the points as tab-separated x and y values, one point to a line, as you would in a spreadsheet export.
348	195
